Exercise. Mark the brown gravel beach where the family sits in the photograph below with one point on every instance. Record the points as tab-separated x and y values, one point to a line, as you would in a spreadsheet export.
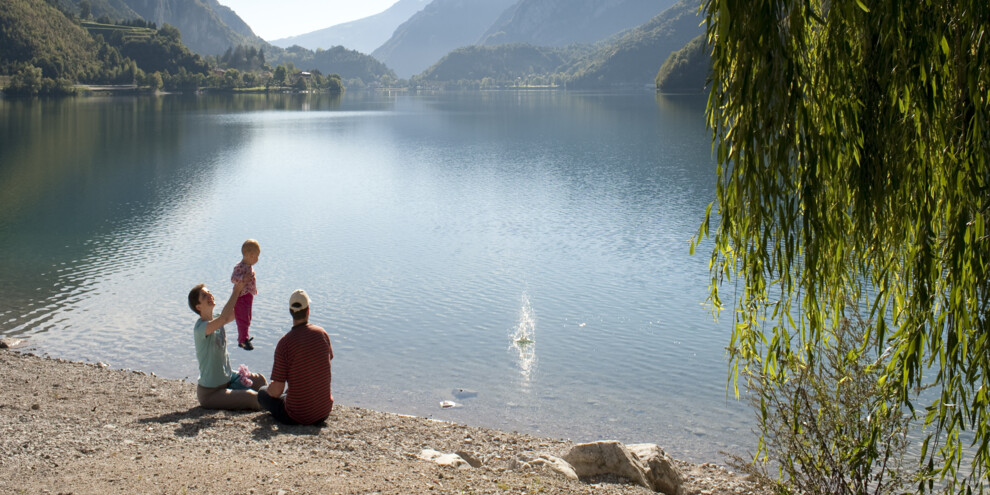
86	428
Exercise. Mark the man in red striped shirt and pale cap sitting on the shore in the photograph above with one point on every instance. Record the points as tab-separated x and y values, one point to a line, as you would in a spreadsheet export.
302	360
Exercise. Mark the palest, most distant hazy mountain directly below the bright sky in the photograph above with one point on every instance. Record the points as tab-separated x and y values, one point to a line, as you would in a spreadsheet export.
363	35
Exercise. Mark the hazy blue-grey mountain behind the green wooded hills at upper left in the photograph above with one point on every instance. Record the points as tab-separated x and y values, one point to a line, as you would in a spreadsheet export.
207	27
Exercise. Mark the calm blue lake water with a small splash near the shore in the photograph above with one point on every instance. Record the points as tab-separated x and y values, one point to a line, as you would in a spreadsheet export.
433	232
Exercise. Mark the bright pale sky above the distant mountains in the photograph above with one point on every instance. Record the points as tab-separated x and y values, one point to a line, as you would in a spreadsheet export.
274	19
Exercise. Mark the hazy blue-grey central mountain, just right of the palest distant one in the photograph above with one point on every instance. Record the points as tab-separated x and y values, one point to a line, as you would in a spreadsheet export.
439	28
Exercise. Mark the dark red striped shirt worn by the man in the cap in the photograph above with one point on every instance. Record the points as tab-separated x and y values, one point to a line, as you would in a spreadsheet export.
302	360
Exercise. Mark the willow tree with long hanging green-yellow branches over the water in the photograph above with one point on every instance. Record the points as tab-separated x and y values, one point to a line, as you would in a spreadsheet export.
853	143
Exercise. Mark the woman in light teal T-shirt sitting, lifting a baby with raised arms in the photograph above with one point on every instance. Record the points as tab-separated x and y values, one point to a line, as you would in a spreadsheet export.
218	387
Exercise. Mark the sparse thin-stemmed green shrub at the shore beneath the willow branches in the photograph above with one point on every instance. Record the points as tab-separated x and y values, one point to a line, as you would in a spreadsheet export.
827	426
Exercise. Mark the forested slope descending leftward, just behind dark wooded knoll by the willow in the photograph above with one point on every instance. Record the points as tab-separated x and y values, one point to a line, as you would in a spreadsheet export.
633	57
